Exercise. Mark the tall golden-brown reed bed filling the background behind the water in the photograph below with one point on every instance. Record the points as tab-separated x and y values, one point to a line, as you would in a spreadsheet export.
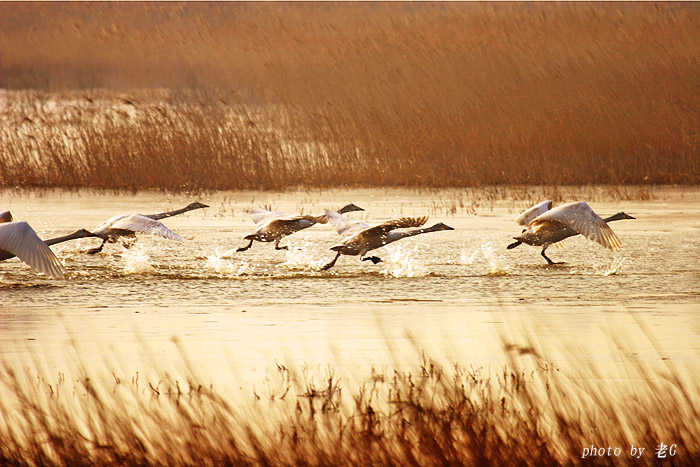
276	96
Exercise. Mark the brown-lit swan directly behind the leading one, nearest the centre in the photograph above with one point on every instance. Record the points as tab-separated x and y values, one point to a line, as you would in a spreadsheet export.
376	237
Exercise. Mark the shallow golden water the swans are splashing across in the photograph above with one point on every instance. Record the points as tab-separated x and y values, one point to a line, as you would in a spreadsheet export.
458	294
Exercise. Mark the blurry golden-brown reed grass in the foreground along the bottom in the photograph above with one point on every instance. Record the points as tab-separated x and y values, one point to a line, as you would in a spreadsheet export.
529	413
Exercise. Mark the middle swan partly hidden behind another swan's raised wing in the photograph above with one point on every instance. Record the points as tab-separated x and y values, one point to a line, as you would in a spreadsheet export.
274	226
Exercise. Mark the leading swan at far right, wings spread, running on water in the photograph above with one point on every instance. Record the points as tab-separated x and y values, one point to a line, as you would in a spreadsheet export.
545	226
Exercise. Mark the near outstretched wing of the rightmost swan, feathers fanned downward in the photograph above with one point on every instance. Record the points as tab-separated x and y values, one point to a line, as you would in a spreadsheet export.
580	217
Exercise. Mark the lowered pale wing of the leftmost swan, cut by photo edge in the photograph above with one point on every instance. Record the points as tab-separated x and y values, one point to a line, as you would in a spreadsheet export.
20	239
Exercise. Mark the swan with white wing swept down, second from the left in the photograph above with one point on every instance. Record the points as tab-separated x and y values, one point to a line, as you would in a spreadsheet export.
126	225
